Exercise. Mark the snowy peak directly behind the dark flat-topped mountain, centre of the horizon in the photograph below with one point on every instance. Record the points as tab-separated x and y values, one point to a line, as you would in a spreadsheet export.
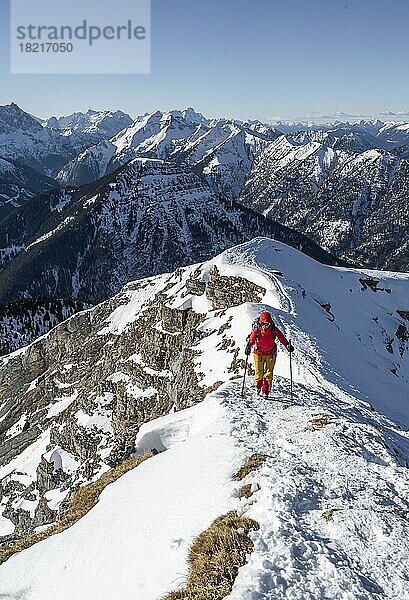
221	149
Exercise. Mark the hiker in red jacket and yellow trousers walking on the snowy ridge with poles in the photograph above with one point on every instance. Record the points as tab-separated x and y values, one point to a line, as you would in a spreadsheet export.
263	338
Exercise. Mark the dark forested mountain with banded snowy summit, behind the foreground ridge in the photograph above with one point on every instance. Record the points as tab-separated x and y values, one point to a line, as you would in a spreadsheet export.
148	217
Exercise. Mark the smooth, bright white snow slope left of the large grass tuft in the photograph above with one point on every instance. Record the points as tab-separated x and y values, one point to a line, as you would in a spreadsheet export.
163	503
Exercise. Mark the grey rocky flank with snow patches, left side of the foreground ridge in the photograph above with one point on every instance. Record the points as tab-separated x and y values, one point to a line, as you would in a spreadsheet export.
79	395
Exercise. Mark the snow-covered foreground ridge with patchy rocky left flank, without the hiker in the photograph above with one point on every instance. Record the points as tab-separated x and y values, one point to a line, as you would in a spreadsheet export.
335	478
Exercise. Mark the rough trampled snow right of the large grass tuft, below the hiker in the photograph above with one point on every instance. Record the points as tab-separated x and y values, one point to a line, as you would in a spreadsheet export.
362	549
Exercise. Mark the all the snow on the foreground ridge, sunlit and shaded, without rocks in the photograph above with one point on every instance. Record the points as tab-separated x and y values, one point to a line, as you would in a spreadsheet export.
332	496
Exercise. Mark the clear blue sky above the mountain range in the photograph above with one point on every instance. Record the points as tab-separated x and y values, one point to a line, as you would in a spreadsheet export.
265	59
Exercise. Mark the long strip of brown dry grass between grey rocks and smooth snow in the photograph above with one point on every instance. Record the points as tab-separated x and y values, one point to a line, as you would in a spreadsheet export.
85	498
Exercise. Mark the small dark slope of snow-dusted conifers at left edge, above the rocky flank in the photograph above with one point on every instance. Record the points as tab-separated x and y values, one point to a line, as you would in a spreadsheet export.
22	321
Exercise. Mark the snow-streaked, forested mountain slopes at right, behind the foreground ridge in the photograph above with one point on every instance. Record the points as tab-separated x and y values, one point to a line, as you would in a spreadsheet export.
350	199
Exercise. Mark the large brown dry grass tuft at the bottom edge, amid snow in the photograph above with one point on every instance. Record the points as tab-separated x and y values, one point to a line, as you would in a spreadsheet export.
215	558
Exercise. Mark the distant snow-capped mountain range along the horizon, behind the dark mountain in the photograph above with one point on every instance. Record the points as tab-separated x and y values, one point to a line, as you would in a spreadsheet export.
344	185
